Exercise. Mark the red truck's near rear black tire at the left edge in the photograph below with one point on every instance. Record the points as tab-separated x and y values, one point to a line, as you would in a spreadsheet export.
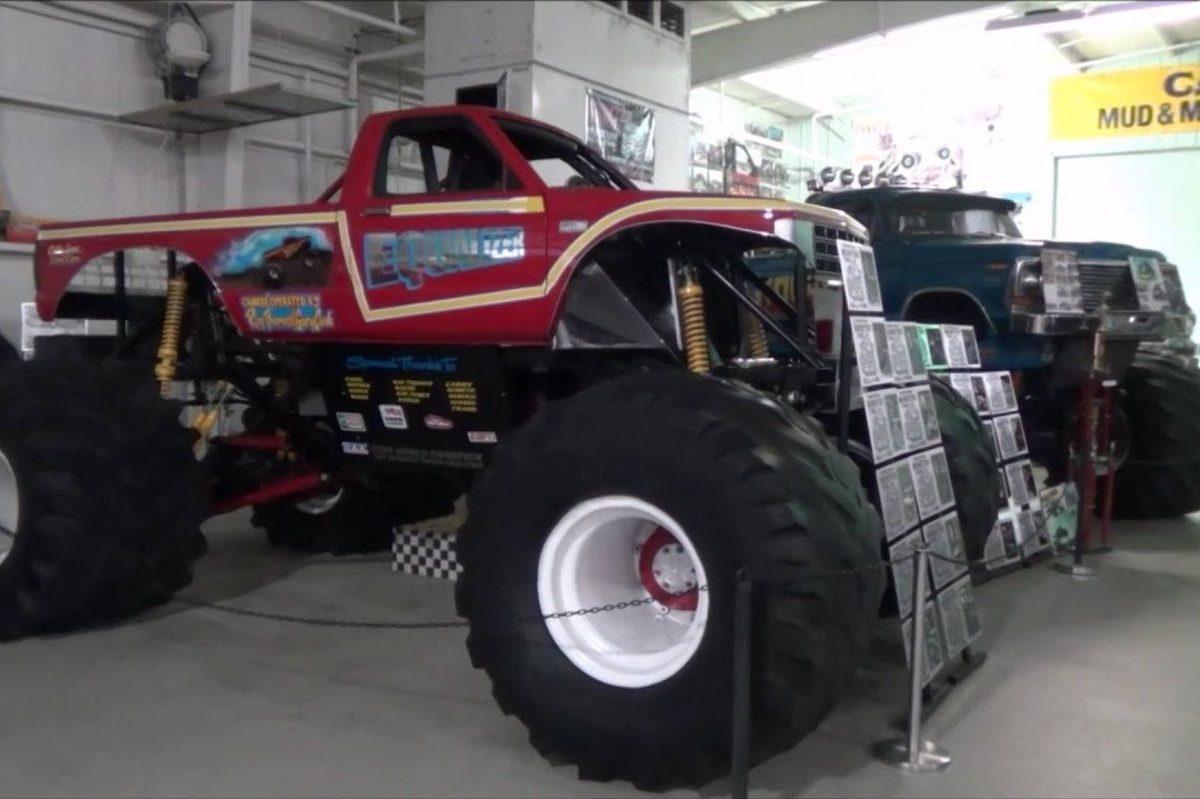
100	486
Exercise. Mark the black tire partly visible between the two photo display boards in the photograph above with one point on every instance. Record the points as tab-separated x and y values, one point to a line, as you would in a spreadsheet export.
975	470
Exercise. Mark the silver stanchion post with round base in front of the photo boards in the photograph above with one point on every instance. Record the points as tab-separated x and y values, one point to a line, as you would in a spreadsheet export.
914	754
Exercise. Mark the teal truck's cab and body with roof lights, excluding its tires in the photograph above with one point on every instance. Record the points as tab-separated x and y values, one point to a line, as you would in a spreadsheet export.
956	257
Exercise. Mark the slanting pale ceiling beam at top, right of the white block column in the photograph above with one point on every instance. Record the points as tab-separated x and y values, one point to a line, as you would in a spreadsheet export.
794	35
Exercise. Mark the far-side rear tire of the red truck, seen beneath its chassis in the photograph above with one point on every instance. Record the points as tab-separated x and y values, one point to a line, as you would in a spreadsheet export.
352	520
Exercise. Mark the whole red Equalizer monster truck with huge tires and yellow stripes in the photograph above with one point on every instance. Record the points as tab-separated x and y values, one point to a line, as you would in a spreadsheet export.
589	361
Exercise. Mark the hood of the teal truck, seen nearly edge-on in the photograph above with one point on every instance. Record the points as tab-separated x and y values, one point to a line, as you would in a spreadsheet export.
951	250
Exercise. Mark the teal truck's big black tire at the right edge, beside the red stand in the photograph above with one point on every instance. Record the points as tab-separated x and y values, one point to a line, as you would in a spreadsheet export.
1161	477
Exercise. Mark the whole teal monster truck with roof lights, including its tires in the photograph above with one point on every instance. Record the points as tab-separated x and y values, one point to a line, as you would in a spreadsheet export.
953	257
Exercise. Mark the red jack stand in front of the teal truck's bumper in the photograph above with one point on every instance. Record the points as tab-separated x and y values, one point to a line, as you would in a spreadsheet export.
1093	458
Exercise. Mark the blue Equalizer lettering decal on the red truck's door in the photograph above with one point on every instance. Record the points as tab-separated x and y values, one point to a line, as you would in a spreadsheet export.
412	257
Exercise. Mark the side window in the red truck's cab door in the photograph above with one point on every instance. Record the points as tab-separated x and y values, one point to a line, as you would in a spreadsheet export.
442	155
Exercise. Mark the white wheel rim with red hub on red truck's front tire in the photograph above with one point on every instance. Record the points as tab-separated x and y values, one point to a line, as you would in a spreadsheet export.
591	560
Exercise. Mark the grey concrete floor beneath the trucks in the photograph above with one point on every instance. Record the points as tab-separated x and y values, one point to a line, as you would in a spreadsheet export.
1089	690
